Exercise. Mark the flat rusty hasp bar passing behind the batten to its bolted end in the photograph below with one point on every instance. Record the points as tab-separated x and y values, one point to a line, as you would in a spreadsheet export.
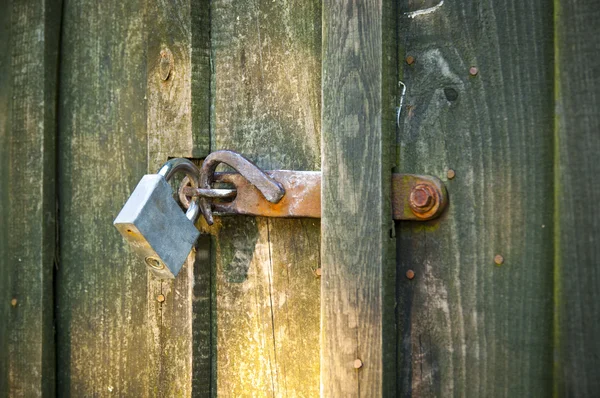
414	197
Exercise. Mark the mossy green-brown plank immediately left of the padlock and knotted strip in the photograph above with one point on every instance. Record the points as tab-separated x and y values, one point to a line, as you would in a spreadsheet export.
101	290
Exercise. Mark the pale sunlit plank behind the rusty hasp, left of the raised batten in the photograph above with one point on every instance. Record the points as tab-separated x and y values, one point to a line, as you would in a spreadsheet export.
266	102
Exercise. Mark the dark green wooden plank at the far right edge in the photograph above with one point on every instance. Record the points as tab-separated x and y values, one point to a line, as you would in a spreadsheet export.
577	229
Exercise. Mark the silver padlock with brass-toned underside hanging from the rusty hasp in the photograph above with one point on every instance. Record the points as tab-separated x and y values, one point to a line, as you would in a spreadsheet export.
155	226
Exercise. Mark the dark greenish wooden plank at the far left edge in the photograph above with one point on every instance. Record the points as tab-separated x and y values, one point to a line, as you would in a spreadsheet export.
29	60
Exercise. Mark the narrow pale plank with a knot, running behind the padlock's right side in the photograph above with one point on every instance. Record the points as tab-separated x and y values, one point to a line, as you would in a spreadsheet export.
178	92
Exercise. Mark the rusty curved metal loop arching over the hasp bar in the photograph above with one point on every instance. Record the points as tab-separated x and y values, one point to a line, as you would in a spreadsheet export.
268	187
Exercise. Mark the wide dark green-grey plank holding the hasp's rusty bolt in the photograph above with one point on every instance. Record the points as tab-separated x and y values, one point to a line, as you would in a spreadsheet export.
466	326
